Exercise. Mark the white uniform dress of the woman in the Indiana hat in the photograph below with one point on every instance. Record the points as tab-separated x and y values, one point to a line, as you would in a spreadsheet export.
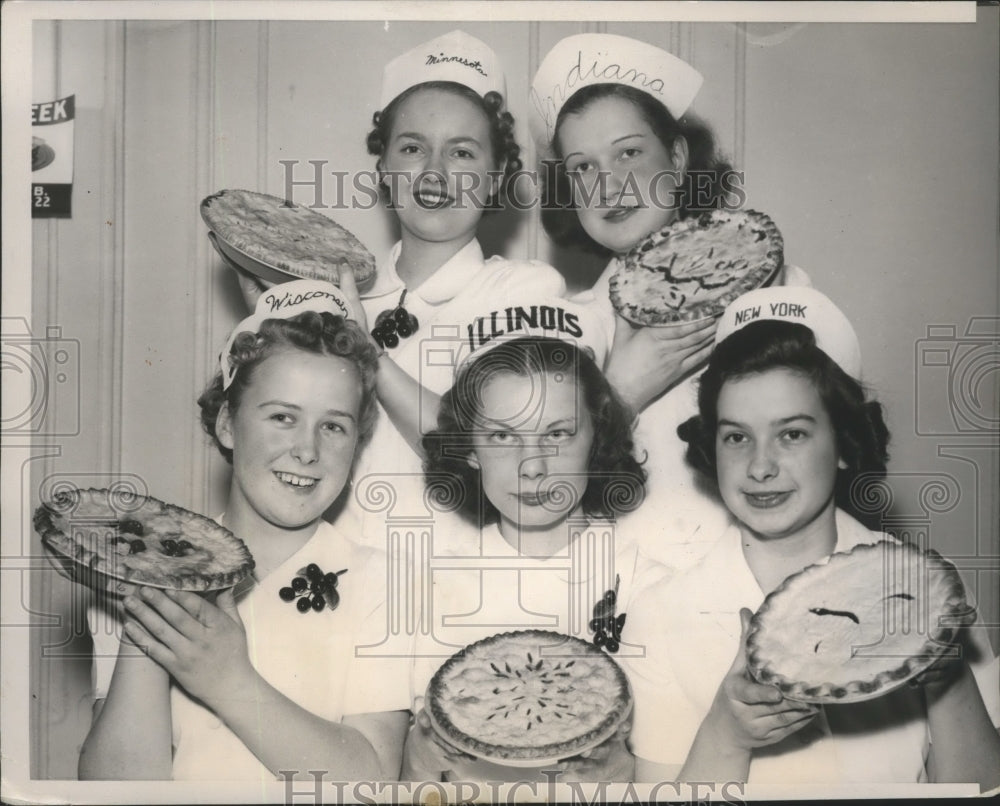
683	515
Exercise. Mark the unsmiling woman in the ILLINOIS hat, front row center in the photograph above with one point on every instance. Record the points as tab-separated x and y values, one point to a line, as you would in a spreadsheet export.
538	450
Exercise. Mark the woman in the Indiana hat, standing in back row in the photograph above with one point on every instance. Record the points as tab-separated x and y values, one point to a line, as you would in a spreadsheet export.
611	105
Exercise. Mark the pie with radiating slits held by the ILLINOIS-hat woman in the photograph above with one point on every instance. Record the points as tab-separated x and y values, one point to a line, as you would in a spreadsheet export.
528	698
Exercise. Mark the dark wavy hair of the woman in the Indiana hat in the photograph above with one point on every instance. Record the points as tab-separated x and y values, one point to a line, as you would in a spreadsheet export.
703	189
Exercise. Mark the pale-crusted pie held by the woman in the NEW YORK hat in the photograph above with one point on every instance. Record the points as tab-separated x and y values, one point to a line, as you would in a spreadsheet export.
857	624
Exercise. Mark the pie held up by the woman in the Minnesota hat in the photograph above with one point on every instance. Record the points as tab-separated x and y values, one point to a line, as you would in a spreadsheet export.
274	238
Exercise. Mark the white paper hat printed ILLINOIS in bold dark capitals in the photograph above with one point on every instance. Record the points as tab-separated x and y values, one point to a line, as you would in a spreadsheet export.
539	315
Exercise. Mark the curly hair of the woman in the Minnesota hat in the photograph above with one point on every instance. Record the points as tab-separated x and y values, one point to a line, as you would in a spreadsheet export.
504	147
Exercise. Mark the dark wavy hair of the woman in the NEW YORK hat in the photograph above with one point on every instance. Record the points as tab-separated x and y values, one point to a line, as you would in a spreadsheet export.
862	437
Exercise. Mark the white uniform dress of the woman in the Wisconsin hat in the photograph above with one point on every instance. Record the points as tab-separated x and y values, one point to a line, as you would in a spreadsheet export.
309	657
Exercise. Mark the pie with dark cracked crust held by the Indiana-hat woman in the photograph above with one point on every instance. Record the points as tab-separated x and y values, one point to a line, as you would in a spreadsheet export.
692	269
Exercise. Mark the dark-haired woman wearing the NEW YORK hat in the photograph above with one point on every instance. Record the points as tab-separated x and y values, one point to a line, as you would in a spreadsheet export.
784	430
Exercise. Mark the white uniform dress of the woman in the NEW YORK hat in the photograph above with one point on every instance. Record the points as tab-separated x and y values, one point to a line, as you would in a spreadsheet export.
692	625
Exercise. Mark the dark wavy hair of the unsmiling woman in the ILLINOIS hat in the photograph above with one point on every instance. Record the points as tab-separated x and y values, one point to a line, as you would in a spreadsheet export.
617	479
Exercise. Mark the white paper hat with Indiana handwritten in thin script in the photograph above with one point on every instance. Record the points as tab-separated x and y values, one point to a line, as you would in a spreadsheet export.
584	59
